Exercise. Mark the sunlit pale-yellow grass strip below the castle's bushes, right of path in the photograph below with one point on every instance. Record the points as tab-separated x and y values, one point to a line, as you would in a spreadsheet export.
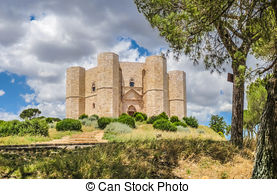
147	132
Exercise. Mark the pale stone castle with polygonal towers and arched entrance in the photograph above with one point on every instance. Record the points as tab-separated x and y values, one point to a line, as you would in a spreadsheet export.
115	87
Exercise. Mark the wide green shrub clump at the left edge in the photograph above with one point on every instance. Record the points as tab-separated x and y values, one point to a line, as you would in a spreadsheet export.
29	127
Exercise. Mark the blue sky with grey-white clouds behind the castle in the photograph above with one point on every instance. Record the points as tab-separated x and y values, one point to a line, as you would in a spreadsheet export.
40	39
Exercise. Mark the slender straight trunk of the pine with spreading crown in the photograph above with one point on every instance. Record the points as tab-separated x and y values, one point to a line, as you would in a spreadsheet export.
237	107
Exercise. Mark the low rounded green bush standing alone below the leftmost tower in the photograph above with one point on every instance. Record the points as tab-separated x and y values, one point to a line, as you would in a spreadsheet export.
69	125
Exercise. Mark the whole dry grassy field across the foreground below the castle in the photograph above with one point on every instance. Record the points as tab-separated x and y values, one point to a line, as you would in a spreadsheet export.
143	153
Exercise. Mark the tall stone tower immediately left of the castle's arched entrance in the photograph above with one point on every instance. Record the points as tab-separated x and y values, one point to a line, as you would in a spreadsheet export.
108	85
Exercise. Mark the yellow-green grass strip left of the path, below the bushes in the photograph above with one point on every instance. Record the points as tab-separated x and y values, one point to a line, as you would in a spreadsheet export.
53	134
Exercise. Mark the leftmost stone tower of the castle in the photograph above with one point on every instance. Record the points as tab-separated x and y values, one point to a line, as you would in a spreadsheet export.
75	92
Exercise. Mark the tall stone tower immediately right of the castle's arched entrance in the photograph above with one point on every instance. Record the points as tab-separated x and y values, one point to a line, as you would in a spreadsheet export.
155	83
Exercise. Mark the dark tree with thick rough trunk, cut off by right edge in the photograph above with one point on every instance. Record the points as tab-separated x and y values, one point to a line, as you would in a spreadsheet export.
266	154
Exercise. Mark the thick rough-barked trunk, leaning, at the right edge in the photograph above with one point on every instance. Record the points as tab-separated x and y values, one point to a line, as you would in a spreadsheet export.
266	157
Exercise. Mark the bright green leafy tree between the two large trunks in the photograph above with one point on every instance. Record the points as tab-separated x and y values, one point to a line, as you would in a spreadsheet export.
256	95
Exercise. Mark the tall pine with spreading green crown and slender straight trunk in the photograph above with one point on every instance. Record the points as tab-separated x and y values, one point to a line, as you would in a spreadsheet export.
219	32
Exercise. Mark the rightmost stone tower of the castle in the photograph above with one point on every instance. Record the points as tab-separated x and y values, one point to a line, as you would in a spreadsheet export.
177	93
